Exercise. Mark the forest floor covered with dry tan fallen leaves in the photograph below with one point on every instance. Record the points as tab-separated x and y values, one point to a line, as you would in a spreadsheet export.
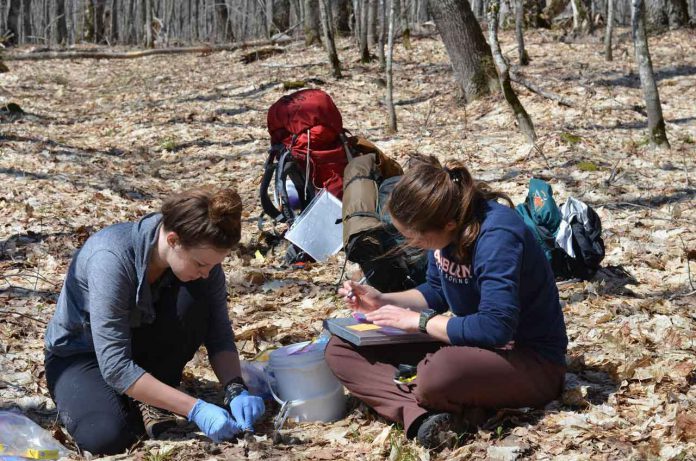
104	141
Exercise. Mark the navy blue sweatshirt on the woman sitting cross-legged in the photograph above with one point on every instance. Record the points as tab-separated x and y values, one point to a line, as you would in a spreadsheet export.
508	293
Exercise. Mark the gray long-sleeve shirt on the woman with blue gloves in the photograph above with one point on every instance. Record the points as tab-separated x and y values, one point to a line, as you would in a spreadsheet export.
106	293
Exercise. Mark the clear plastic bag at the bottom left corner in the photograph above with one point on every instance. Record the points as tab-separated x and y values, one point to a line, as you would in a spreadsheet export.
22	437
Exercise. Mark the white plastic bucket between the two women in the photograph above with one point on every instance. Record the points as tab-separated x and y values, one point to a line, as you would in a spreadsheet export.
301	381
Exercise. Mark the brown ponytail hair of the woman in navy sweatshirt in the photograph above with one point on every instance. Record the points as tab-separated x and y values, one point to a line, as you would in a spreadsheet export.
430	195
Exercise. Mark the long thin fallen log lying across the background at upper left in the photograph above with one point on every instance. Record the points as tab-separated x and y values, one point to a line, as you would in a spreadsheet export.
130	54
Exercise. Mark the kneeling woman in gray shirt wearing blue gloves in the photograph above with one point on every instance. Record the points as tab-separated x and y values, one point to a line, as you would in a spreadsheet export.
138	301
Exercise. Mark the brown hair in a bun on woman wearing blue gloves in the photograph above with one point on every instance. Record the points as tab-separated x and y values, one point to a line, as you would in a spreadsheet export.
203	217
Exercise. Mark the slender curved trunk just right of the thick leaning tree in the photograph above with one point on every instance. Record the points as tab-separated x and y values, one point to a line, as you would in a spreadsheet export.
523	119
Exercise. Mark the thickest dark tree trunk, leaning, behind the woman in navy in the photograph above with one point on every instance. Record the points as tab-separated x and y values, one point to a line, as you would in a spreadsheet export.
469	53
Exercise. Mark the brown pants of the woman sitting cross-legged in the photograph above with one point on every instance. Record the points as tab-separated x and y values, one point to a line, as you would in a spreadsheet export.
450	378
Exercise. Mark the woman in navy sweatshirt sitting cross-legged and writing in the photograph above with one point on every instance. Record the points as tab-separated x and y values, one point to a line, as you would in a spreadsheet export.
504	344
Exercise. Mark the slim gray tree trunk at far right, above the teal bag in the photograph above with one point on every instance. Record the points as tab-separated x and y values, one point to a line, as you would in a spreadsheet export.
656	122
